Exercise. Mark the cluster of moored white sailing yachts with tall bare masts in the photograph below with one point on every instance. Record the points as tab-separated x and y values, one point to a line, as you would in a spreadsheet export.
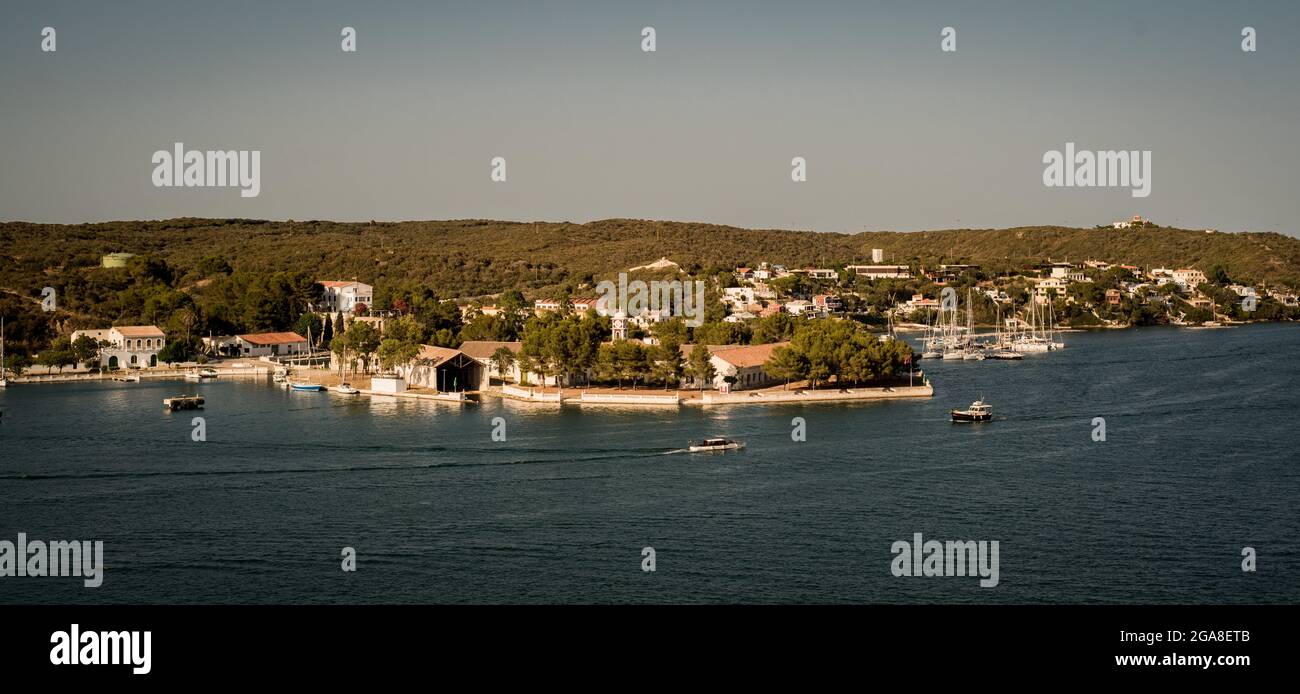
951	341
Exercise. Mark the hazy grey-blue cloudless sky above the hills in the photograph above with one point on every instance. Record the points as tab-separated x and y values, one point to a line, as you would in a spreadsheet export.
898	133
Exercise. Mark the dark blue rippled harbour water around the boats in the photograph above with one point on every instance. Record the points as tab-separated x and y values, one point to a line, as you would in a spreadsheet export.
1199	462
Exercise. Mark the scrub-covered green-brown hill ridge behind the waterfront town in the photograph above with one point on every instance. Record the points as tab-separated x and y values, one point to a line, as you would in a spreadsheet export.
470	258
